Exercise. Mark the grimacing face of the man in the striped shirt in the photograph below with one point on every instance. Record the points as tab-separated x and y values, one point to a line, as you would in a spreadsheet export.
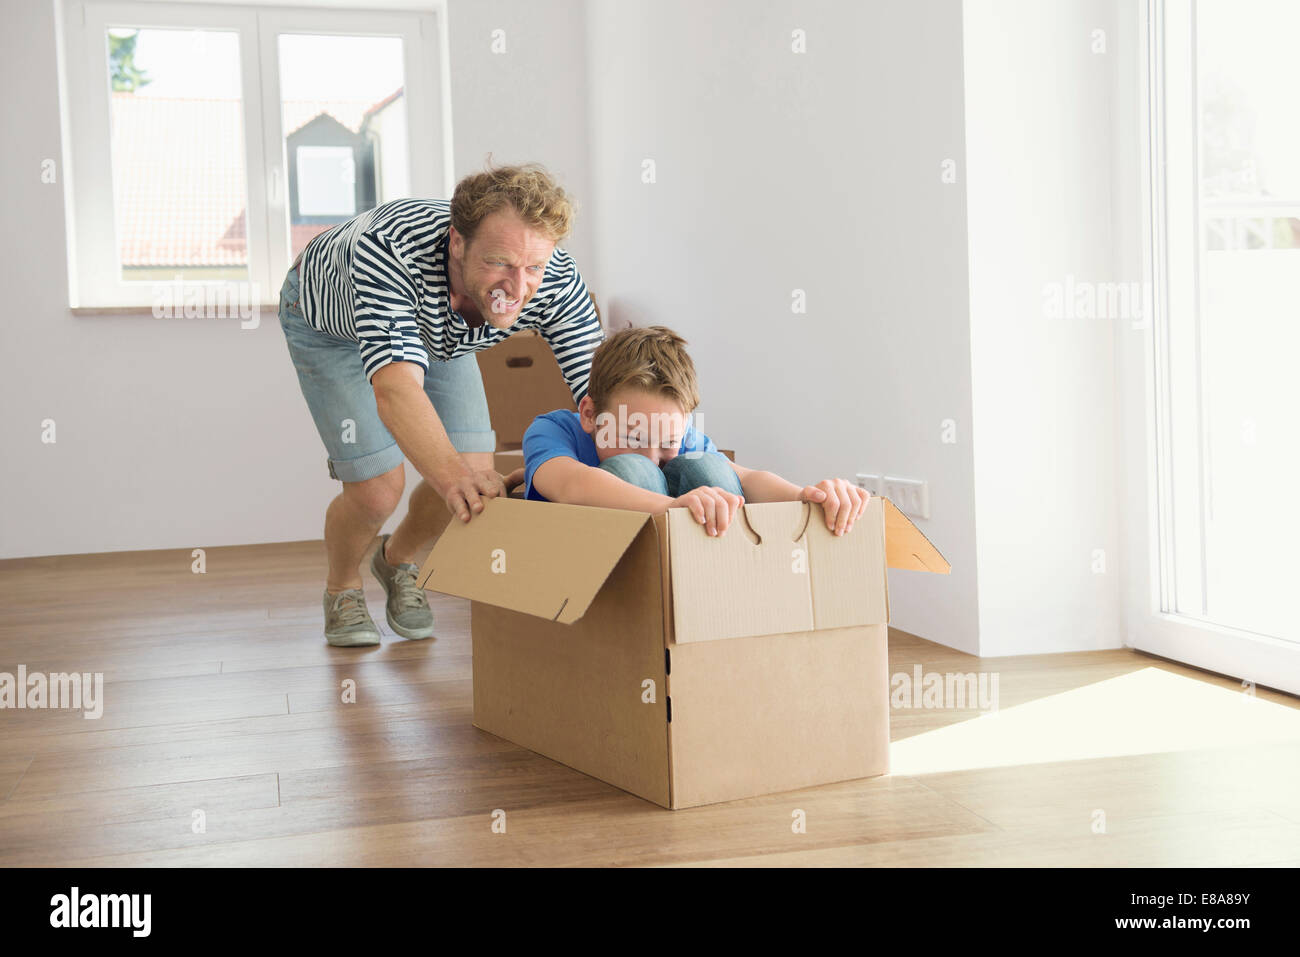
502	266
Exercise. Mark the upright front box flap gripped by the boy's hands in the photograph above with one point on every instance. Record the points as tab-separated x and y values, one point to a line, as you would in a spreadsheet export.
781	571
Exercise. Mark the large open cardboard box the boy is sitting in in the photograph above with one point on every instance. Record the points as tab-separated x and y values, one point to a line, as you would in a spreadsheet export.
683	669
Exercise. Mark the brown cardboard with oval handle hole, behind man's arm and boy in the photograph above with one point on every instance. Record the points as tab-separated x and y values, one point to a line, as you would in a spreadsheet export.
523	382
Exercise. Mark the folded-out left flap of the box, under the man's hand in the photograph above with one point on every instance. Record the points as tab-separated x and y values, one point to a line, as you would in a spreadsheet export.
540	558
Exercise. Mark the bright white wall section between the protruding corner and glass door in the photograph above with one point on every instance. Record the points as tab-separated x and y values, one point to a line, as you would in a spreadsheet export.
1039	148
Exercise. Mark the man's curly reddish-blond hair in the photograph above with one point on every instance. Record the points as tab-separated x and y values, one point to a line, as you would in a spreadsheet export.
528	190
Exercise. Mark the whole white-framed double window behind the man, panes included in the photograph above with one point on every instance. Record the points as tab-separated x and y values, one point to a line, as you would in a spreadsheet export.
233	136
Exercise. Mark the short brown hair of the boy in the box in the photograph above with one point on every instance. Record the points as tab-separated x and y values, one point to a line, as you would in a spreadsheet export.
651	358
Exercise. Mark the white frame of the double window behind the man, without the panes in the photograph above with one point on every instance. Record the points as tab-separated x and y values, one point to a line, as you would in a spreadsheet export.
94	254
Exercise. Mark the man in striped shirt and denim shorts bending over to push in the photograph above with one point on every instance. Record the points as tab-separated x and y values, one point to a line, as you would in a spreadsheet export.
383	315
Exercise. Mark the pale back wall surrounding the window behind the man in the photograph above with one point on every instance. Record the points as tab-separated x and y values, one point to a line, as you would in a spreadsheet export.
194	434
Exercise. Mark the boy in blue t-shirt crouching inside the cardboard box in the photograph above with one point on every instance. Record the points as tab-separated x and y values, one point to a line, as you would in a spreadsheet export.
631	445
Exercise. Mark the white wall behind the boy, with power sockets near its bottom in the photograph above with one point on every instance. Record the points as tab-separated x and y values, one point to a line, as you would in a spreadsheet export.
821	172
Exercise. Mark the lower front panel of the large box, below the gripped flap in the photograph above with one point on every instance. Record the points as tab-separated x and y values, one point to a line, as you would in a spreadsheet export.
777	713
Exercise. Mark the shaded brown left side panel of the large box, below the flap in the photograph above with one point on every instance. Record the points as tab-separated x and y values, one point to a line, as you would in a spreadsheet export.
575	692
